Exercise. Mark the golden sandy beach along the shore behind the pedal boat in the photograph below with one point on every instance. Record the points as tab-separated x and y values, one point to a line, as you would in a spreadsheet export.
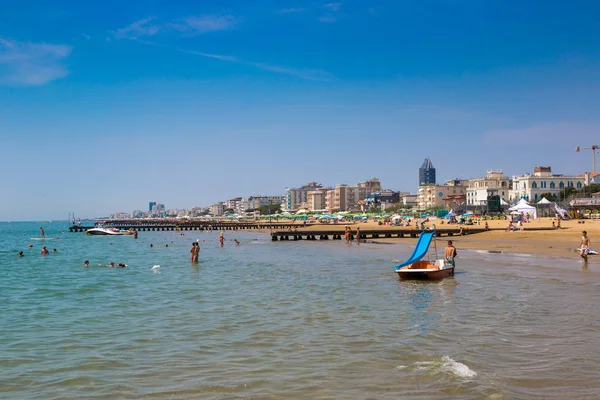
558	242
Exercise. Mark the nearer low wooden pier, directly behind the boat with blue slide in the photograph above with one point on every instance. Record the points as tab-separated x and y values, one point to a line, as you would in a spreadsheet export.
338	234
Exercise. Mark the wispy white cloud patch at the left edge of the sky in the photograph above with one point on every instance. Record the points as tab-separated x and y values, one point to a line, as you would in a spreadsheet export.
31	64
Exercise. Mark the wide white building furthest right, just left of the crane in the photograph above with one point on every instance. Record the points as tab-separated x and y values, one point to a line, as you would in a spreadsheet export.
531	187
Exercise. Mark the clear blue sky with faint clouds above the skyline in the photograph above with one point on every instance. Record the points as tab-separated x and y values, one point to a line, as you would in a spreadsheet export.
106	106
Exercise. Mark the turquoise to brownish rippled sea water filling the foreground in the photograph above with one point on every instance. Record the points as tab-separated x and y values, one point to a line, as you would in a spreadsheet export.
287	320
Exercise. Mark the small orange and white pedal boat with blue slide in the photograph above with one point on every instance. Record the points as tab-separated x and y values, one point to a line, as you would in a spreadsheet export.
418	268
